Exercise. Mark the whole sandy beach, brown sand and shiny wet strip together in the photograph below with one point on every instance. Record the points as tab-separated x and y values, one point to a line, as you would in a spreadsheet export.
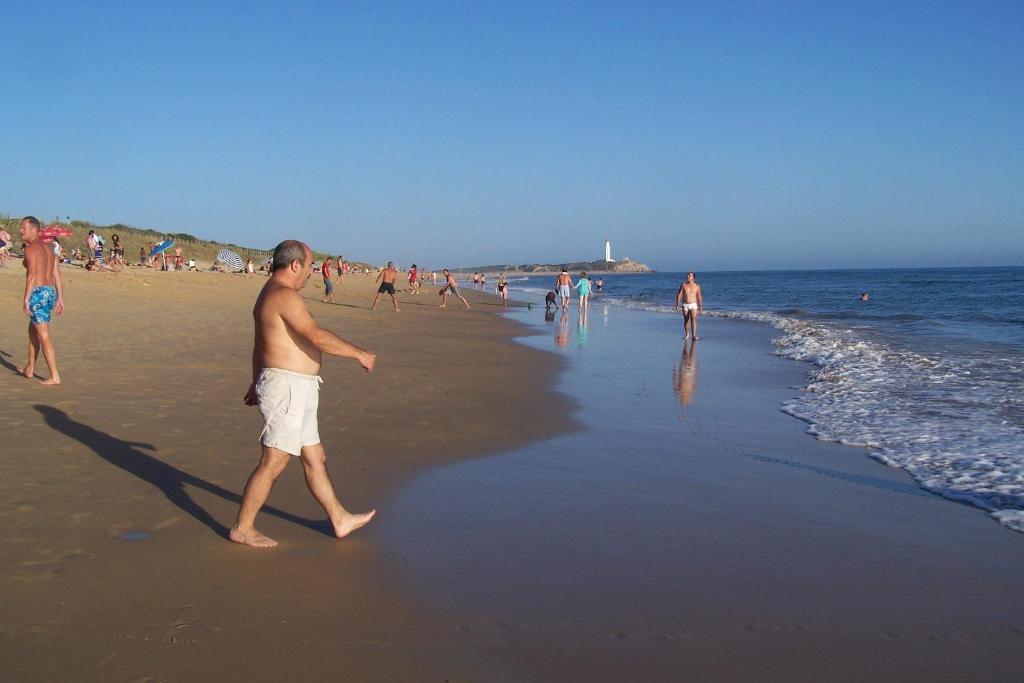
592	514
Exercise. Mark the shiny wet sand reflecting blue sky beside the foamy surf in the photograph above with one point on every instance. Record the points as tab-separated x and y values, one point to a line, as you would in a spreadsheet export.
694	532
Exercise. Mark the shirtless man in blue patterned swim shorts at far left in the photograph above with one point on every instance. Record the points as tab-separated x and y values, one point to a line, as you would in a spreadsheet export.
44	297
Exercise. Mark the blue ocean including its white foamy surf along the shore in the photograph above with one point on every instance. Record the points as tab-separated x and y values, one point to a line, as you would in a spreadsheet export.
929	374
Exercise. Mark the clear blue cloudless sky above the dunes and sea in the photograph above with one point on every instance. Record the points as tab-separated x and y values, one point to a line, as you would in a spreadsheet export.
695	136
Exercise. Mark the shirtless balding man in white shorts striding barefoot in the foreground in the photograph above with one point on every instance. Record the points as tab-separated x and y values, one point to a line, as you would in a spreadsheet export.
287	359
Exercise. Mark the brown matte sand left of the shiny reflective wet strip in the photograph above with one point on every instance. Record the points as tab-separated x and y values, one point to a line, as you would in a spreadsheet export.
118	487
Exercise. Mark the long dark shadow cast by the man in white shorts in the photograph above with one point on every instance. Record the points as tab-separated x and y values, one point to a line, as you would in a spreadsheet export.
169	480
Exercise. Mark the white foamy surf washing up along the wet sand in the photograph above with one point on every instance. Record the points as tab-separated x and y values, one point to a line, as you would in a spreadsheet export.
954	422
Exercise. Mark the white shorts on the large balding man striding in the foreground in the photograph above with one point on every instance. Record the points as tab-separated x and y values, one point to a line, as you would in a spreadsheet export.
288	402
